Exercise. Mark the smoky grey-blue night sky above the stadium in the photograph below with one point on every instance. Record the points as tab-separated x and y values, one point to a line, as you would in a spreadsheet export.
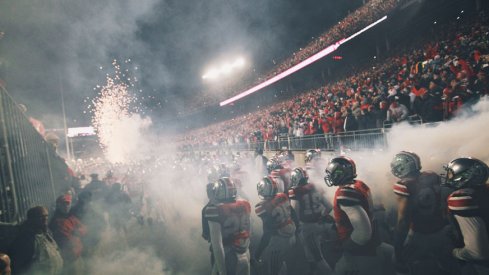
51	46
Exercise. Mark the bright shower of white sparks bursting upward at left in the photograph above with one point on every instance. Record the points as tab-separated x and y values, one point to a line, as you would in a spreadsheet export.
116	115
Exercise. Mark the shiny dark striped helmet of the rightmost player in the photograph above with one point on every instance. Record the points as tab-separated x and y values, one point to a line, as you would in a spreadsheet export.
466	172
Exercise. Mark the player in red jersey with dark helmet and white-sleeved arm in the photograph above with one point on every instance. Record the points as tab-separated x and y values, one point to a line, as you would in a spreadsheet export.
363	252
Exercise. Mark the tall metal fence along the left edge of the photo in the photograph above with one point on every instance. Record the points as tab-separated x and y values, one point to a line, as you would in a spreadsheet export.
31	172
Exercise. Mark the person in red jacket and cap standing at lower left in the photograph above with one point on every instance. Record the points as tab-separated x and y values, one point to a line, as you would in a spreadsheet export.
67	232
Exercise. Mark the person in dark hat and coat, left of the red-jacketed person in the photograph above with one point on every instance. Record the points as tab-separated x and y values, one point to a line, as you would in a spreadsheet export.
34	250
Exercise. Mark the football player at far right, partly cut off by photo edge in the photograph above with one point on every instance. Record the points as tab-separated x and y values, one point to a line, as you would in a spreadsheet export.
469	211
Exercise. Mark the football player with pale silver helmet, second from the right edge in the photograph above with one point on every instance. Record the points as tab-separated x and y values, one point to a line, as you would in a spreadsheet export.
419	241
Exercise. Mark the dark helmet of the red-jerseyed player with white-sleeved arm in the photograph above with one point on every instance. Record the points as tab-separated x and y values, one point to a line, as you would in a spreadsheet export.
340	171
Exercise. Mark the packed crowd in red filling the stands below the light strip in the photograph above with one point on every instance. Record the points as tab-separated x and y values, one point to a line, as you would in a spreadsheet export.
427	83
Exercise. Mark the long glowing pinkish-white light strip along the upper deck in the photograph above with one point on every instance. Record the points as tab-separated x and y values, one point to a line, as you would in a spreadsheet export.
331	48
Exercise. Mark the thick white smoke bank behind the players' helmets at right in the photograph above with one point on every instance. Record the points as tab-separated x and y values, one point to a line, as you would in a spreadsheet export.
436	145
